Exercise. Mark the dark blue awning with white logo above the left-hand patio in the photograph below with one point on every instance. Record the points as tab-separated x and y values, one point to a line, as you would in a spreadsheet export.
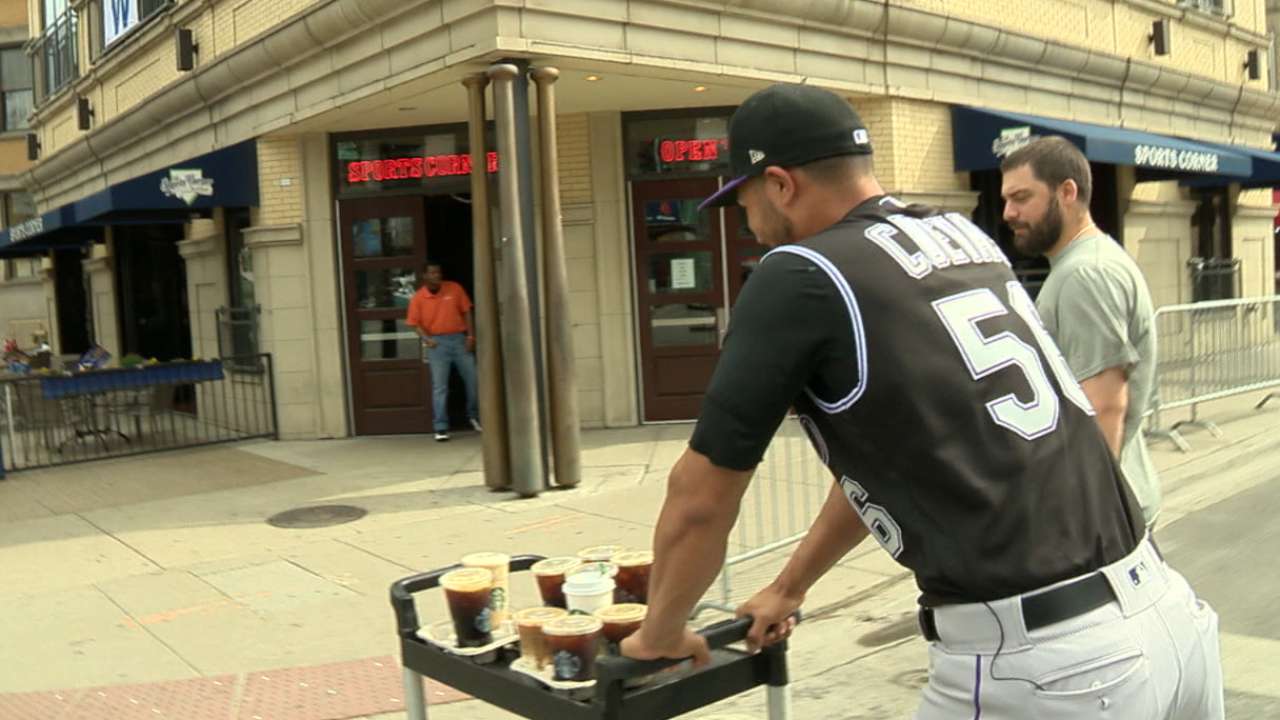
223	179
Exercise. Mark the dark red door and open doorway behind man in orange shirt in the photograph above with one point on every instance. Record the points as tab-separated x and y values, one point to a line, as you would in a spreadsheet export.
386	243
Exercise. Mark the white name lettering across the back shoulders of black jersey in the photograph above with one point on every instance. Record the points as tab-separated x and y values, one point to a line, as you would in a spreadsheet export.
922	247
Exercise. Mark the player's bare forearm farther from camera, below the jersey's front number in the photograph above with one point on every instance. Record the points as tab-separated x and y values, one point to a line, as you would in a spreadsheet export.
836	532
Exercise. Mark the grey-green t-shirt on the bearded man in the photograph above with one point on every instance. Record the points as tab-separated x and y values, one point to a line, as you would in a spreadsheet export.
1098	307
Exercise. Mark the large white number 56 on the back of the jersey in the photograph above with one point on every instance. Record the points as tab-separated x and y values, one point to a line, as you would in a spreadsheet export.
986	356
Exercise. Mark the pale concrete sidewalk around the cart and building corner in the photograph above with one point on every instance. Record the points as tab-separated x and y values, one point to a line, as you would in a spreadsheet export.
154	587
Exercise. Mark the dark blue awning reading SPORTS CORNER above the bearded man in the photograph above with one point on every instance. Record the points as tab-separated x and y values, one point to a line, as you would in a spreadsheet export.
982	138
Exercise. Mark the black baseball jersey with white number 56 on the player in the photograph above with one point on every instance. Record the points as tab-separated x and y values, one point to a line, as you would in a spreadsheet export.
931	390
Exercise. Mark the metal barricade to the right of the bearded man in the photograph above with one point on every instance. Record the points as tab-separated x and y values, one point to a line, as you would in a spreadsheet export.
1214	350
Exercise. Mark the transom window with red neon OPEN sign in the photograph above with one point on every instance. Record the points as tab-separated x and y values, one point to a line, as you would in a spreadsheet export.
678	145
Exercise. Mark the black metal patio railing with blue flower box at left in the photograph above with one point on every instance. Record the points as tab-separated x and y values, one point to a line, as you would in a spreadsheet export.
58	420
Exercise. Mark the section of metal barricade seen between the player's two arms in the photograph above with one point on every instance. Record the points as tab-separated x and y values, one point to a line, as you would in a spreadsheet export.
784	499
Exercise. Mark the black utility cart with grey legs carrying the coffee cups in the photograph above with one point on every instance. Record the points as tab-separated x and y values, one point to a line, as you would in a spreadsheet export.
730	673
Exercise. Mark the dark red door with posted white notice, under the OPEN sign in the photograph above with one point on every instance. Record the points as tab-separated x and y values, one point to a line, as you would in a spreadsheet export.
691	268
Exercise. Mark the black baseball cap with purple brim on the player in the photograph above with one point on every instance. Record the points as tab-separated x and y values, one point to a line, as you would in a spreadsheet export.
788	126
